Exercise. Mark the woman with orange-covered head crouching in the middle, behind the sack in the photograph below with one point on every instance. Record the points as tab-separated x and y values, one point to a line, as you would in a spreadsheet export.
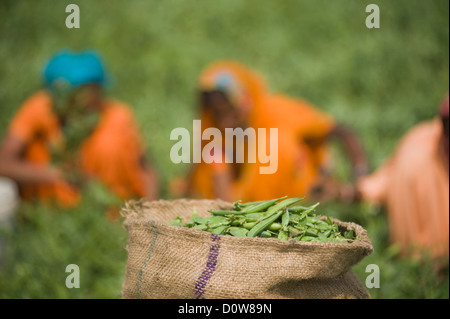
231	96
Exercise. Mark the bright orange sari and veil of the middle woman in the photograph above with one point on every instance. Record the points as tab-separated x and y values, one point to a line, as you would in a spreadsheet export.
298	164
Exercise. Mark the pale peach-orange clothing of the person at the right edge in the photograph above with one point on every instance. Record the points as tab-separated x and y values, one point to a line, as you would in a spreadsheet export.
414	186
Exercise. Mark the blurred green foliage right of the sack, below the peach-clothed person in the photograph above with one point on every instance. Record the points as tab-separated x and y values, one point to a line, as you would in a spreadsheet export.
400	277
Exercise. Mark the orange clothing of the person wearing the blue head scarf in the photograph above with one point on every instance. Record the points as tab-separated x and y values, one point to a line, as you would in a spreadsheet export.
112	153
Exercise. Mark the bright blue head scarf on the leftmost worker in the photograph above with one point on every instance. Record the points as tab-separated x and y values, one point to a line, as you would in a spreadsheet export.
68	70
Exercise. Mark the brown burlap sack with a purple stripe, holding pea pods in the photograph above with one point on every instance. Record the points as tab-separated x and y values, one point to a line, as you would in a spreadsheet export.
172	262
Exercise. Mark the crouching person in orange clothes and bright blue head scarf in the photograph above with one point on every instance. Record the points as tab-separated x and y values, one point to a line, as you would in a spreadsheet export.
70	129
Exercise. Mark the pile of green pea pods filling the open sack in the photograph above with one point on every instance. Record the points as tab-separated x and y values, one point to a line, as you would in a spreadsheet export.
275	218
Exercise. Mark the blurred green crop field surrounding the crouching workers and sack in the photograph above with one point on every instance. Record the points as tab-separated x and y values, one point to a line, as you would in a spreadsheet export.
380	82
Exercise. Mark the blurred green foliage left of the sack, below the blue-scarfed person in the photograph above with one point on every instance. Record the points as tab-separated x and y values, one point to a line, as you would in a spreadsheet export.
46	239
